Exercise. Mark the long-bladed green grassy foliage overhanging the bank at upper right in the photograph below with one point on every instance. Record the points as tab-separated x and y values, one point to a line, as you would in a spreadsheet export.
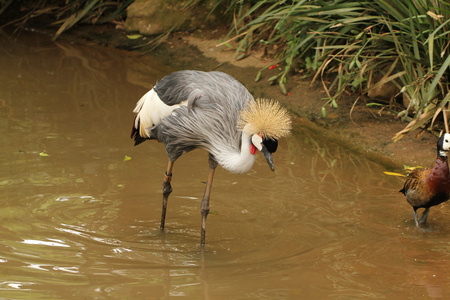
349	42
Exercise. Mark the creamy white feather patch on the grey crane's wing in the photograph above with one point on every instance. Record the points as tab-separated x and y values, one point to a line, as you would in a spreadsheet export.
151	111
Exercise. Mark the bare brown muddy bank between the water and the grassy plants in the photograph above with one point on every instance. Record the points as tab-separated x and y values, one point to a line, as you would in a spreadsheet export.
366	130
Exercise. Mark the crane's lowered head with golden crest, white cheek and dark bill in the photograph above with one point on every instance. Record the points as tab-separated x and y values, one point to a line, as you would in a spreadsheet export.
266	121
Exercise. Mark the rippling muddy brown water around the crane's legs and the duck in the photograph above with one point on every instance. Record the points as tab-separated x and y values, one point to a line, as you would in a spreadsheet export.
79	221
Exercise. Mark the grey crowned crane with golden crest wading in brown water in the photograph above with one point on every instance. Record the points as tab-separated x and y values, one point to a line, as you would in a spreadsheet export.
189	109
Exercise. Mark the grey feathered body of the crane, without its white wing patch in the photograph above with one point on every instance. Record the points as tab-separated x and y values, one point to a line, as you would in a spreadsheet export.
200	123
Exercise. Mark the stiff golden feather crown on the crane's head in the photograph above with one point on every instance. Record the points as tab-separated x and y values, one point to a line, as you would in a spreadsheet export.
266	117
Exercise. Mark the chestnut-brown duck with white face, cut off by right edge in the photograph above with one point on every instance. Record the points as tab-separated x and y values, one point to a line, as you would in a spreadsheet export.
425	188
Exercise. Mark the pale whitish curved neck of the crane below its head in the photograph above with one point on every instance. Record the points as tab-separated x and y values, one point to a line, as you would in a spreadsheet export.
234	160
